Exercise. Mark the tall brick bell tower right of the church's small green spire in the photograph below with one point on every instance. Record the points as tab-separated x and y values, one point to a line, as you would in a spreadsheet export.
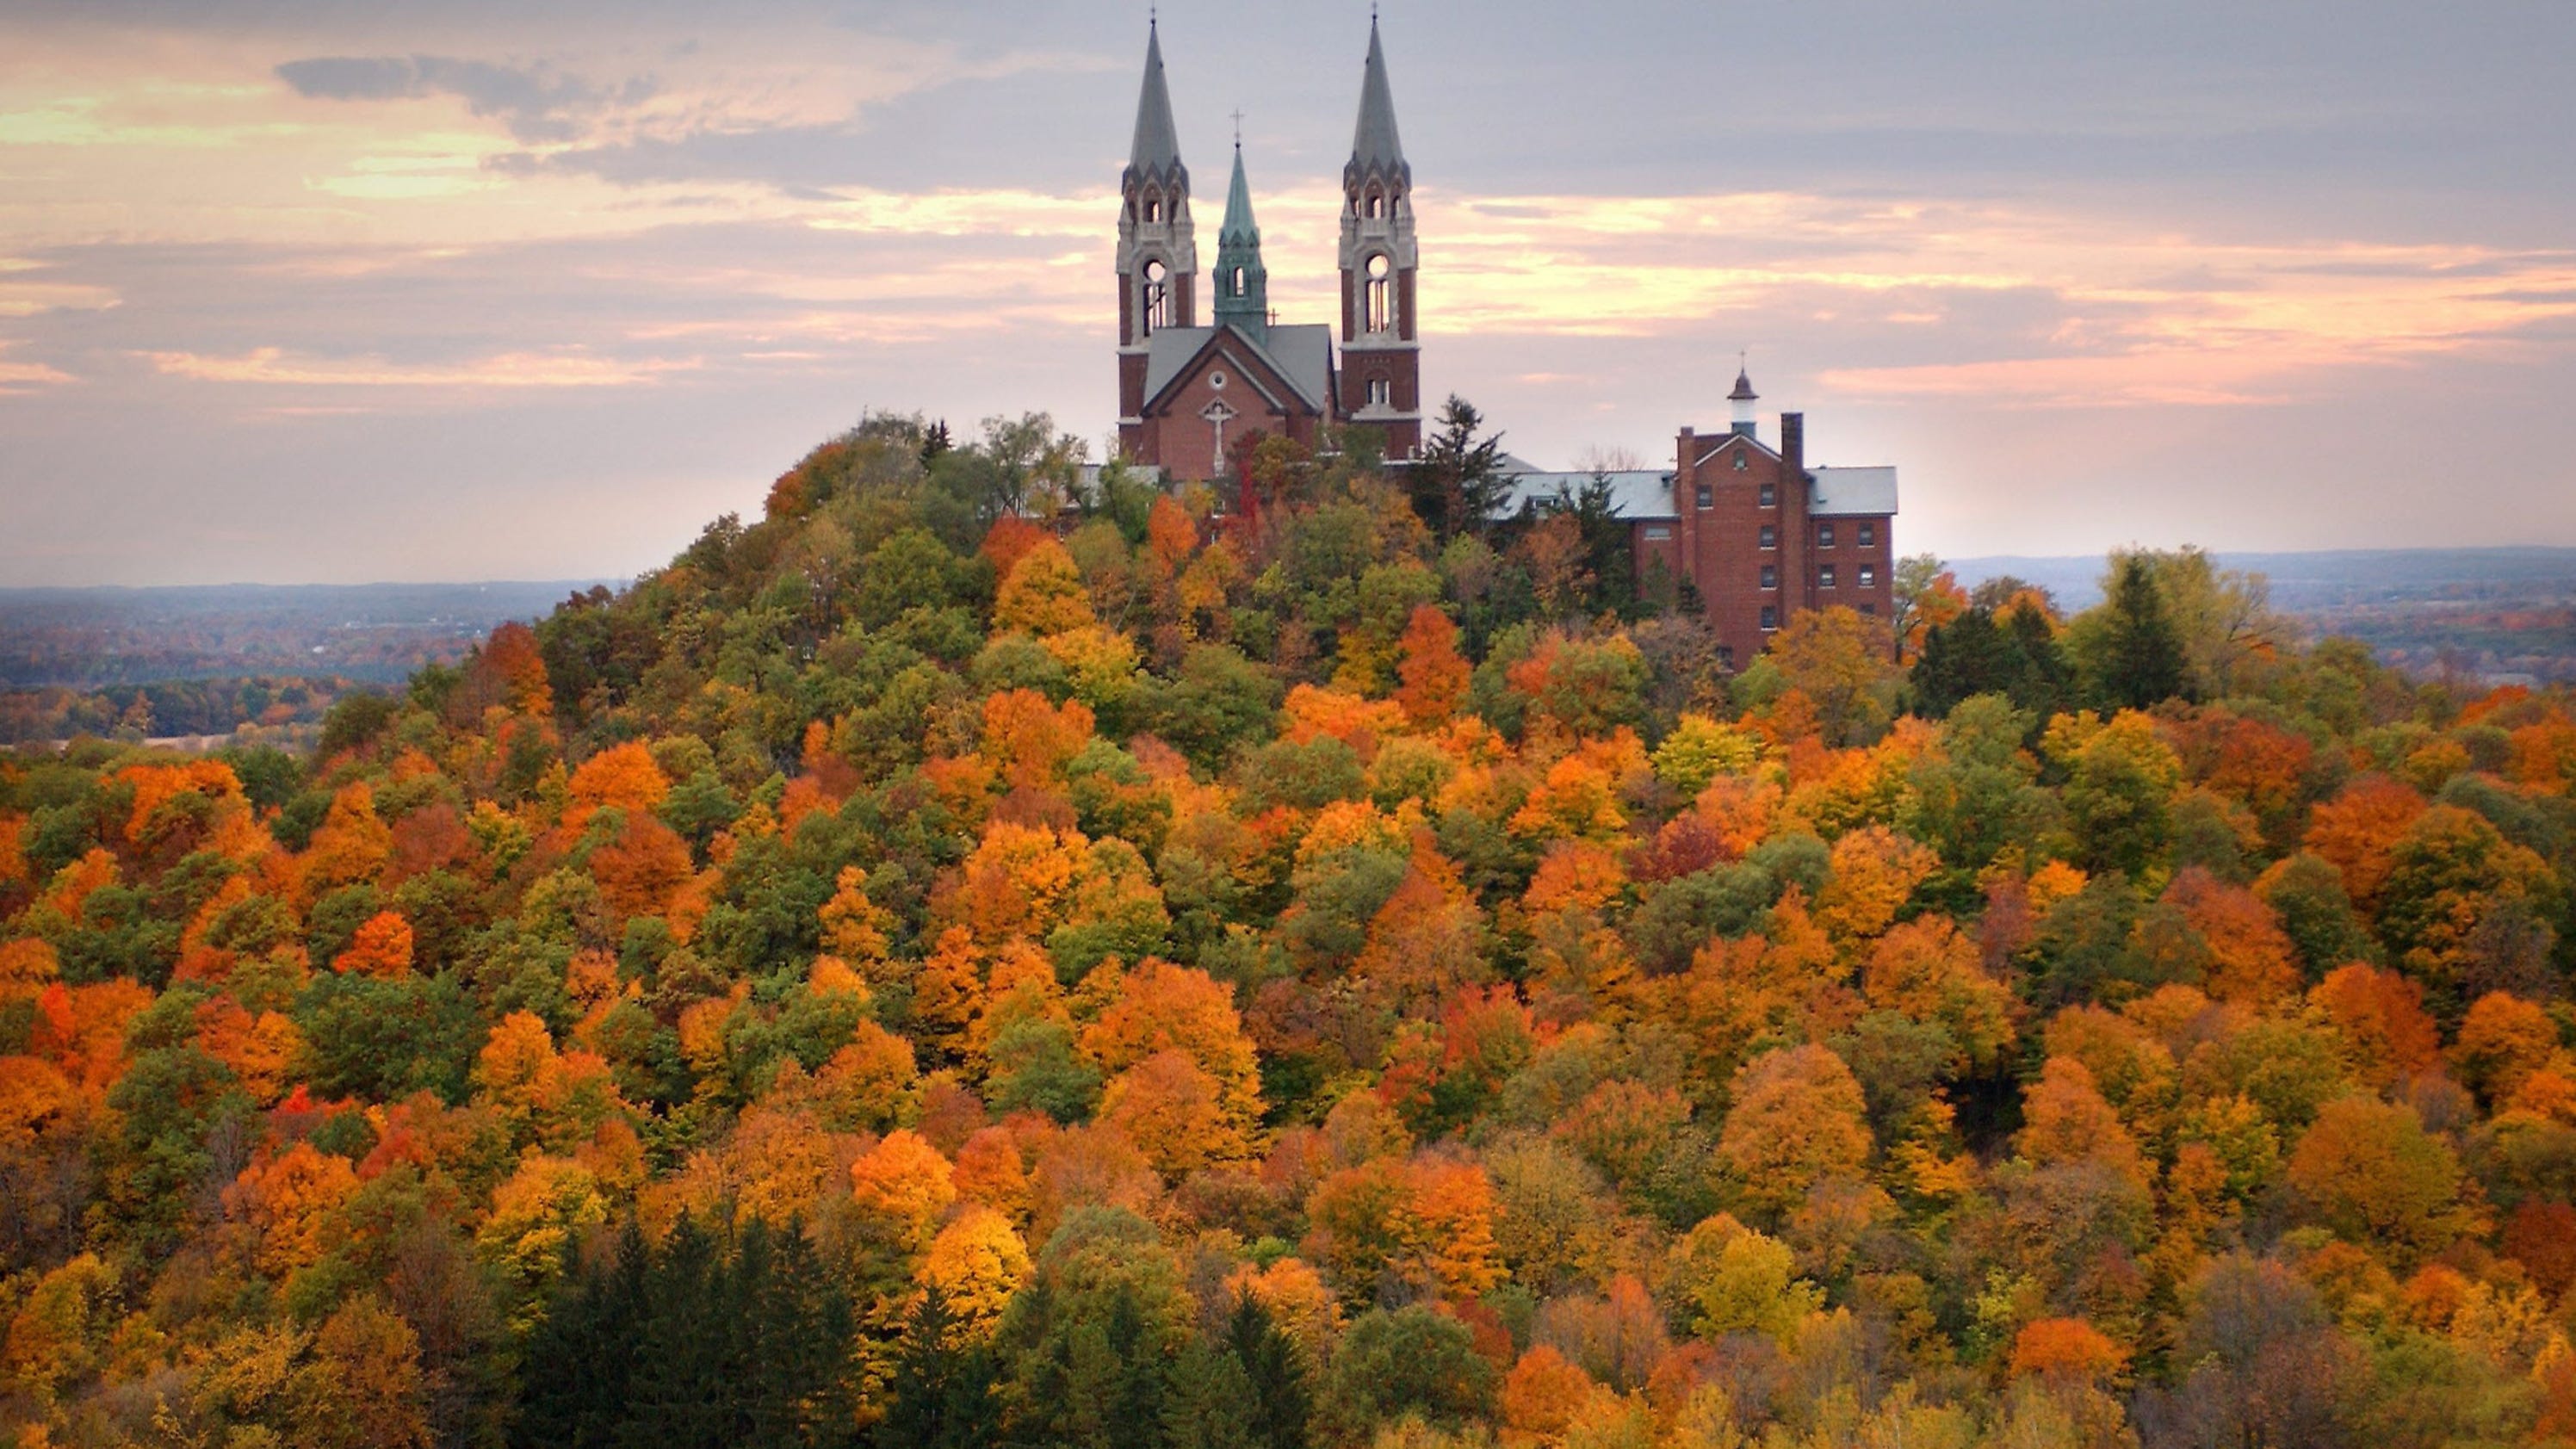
1382	347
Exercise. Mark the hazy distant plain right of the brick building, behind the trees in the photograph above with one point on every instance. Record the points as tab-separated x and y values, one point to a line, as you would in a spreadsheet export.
2505	615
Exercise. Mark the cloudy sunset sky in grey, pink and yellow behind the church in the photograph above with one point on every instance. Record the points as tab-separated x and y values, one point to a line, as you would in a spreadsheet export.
452	290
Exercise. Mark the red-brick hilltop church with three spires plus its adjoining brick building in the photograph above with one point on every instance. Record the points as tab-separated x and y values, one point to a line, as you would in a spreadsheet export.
1745	527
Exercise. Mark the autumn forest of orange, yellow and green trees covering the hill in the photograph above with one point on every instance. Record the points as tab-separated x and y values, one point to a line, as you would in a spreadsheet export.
998	955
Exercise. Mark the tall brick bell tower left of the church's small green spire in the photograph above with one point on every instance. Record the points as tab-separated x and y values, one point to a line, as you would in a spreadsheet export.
1158	246
